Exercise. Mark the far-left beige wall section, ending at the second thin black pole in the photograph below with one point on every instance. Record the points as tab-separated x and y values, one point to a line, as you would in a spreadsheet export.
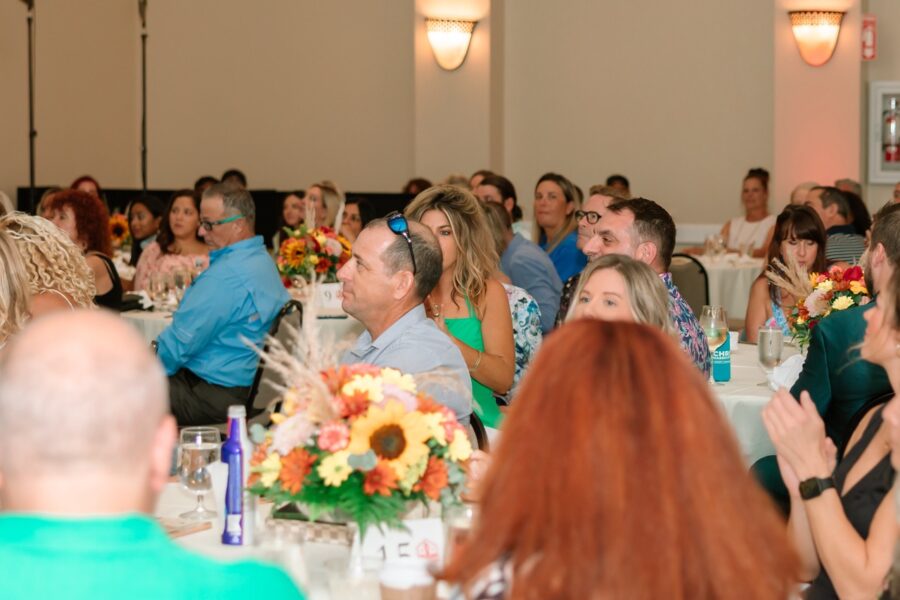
87	93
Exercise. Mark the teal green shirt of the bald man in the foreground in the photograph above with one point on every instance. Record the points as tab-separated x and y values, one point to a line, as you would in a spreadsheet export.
120	557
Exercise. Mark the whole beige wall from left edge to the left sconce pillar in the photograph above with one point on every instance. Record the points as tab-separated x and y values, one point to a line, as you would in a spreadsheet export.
291	92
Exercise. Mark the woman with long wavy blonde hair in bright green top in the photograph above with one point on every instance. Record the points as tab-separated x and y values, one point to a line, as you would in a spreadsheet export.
467	303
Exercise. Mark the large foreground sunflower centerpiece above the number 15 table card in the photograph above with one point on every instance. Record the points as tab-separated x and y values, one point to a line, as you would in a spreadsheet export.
360	441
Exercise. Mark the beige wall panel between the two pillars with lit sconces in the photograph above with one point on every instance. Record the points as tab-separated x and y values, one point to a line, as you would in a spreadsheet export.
677	96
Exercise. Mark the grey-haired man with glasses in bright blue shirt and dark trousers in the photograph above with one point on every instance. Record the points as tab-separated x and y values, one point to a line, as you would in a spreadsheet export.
204	350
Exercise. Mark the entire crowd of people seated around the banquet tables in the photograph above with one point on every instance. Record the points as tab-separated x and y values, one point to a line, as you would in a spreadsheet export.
564	335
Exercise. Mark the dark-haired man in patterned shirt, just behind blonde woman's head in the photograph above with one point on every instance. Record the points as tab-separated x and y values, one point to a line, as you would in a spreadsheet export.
643	230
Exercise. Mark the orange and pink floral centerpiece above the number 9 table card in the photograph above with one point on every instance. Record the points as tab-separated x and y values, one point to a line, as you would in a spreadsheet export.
311	254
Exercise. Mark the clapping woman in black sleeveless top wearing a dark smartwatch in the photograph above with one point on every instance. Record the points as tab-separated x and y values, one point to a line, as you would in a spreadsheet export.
843	517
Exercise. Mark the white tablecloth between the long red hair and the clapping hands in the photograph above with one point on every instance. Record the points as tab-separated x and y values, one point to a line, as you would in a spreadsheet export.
743	399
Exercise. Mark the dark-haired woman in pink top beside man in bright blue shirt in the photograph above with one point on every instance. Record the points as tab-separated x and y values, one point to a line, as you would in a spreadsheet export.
177	245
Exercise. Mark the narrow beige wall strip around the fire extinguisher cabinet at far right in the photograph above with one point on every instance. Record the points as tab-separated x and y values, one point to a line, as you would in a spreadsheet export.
886	67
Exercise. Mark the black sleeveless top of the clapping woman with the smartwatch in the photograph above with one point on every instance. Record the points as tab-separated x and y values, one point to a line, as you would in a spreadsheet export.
861	502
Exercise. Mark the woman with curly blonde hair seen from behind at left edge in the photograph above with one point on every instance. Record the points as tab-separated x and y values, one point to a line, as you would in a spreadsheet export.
57	273
